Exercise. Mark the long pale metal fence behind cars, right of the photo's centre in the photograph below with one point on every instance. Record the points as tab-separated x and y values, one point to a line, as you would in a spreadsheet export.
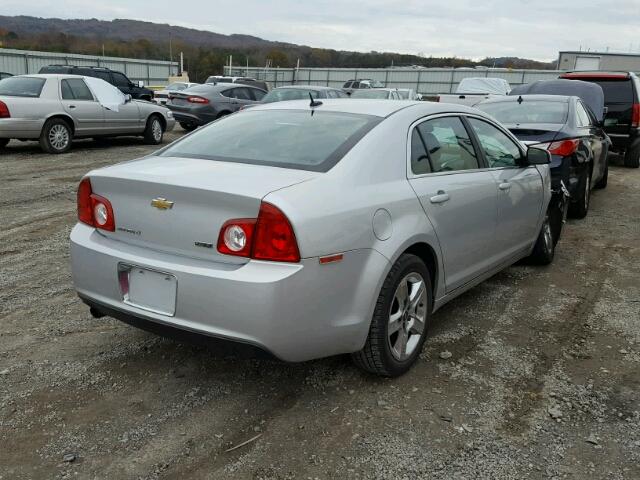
429	81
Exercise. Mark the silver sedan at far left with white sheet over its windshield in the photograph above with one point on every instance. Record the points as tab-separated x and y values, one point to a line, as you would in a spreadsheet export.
56	108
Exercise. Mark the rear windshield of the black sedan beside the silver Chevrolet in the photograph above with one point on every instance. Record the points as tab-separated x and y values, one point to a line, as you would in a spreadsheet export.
527	112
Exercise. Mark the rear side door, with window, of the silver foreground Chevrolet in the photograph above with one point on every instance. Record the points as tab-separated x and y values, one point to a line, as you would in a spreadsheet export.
457	194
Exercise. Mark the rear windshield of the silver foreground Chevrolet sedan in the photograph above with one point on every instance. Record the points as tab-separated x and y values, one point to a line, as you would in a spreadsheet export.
298	139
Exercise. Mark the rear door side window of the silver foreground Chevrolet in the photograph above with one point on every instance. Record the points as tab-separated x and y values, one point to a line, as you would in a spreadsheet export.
447	144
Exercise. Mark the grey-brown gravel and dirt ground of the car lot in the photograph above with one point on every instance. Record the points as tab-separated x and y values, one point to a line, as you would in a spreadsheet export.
533	374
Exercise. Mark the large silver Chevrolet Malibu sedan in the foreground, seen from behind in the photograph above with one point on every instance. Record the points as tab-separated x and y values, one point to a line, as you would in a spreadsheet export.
312	231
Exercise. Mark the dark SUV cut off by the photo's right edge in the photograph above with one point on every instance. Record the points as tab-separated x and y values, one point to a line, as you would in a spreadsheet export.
622	99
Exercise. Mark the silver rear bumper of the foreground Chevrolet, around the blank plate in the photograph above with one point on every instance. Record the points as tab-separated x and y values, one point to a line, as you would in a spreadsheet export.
297	312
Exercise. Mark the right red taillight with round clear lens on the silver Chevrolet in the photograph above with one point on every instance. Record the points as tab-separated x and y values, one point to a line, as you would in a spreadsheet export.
268	237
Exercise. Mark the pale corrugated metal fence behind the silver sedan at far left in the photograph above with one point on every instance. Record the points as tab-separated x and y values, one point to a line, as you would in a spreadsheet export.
152	72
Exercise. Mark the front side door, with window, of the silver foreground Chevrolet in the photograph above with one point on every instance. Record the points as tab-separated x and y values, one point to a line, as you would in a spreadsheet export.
520	190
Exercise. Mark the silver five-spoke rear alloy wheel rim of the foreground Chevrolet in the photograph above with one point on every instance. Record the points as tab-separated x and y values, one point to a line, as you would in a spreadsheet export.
407	316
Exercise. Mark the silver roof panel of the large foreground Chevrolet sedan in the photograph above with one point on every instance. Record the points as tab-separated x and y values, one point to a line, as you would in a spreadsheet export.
378	108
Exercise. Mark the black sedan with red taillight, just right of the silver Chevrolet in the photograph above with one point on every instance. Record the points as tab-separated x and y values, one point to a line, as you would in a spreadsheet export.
569	130
